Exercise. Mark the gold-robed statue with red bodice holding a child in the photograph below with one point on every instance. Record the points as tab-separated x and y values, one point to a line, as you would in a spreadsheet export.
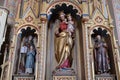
64	41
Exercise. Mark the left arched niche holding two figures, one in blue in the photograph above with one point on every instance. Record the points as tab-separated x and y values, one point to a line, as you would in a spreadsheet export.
26	45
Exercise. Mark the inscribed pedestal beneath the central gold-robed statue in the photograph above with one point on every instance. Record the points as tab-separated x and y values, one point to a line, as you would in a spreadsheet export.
64	74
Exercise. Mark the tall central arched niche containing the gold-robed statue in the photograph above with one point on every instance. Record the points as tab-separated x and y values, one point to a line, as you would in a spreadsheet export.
64	50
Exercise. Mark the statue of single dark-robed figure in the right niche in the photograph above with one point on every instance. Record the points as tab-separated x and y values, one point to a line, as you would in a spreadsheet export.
102	64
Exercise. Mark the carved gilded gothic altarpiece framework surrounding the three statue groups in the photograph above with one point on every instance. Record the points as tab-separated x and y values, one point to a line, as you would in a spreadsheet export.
89	22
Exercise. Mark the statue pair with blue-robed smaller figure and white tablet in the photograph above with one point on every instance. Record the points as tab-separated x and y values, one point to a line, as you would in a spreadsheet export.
27	55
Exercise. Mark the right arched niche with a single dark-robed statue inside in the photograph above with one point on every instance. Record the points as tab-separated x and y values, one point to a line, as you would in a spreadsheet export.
103	56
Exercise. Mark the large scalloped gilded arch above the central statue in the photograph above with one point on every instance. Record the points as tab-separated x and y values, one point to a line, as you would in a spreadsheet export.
68	3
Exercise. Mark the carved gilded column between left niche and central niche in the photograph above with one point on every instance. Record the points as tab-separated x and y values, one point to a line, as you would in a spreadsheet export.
42	56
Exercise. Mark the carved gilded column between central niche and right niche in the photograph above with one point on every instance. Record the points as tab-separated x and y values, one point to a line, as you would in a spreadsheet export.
88	67
